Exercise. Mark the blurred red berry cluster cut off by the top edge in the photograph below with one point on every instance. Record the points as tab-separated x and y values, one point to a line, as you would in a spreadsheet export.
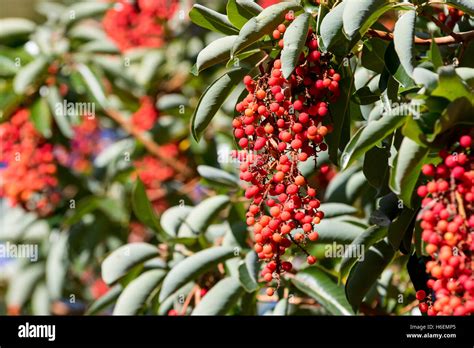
140	23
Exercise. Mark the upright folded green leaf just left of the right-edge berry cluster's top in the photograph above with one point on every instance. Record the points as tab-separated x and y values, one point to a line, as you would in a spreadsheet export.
406	169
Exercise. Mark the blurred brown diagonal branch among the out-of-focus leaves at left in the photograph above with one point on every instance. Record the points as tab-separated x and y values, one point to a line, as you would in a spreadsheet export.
149	144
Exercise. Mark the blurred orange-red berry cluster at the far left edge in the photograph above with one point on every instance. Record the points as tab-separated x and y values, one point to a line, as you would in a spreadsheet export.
28	169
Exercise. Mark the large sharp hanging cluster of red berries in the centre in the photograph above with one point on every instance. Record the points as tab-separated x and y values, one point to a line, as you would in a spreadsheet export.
280	124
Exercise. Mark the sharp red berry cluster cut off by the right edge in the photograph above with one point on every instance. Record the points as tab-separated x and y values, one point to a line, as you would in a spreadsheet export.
448	230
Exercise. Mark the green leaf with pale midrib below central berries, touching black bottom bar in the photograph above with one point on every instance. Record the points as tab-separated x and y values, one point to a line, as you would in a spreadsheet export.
317	283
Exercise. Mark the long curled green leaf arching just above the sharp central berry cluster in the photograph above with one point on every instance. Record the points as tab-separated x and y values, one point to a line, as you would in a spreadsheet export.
262	25
